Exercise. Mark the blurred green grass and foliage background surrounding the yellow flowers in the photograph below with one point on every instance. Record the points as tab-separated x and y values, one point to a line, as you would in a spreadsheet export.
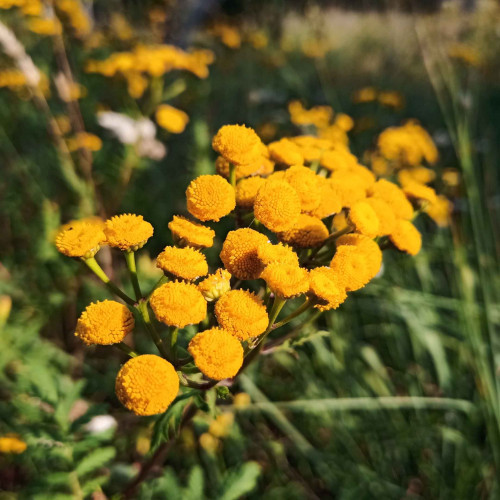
427	327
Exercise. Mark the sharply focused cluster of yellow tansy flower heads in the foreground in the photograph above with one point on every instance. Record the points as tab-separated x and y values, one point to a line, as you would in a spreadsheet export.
310	226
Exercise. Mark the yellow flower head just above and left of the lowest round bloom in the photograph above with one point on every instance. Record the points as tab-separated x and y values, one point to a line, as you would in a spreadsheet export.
104	323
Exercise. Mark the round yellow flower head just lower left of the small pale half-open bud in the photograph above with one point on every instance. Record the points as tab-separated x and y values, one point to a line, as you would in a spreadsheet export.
178	304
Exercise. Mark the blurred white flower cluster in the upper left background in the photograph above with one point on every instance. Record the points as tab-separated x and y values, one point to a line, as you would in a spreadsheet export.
141	133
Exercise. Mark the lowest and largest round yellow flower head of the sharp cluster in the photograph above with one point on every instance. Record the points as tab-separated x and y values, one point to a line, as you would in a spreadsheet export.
147	384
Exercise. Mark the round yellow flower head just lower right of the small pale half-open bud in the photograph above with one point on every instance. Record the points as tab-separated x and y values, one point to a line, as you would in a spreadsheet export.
242	314
